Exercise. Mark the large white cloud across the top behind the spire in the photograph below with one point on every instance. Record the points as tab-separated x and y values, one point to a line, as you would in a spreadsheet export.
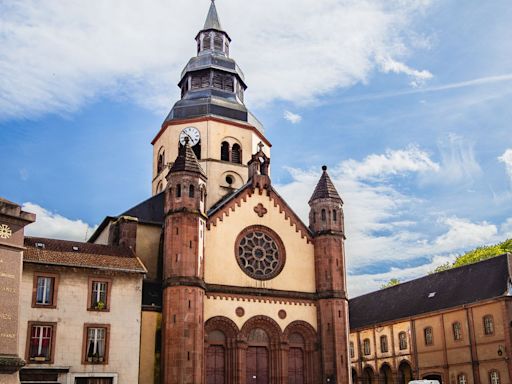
56	56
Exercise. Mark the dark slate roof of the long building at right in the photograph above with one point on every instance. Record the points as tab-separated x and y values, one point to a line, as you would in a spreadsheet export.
468	284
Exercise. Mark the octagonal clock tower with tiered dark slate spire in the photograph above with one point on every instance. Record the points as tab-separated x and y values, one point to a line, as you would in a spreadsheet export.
222	132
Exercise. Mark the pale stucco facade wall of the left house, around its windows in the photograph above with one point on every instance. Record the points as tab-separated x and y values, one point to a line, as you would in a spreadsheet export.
71	314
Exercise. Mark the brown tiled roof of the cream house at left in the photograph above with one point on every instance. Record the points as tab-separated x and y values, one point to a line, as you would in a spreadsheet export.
76	254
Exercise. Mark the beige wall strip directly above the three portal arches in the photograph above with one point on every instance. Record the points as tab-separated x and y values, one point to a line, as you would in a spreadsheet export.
217	305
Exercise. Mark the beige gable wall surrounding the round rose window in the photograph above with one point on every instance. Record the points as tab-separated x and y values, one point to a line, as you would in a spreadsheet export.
221	266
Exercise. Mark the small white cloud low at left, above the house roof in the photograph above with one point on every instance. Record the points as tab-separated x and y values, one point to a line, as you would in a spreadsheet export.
53	225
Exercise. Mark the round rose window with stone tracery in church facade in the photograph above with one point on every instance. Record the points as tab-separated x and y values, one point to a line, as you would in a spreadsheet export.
260	252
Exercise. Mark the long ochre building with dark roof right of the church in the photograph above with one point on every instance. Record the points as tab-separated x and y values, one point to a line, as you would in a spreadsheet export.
452	326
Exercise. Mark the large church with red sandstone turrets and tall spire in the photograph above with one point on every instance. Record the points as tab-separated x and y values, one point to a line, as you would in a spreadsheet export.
238	289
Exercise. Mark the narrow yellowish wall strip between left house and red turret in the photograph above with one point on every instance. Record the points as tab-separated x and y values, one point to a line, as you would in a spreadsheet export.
150	324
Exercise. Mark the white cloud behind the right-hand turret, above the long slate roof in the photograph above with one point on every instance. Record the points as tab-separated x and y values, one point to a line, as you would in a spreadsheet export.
386	224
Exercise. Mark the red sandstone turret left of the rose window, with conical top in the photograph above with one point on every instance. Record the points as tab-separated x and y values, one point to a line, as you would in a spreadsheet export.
183	271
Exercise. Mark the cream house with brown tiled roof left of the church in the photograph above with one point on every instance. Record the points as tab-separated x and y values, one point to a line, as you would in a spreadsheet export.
80	313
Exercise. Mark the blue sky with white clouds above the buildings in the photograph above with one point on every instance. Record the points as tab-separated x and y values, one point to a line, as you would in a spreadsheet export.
407	102
